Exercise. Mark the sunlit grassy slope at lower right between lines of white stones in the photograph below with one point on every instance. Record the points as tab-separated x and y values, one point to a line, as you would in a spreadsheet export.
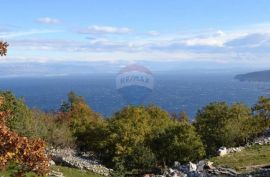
246	160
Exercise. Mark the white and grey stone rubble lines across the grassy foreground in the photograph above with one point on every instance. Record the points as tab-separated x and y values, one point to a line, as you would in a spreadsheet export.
204	168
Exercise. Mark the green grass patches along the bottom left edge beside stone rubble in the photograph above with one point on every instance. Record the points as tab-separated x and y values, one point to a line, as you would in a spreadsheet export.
68	172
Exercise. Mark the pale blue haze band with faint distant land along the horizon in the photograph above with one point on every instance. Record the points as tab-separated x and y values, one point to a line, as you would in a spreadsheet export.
38	69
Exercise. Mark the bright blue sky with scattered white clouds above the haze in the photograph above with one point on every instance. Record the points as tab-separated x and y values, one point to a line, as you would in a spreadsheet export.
218	31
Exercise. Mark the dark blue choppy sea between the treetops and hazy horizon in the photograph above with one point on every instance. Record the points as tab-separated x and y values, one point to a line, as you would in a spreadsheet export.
173	92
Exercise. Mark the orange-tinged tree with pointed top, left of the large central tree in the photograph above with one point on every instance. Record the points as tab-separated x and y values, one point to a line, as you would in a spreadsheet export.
84	124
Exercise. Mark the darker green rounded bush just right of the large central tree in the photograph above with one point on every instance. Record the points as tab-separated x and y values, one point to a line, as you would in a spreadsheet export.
179	142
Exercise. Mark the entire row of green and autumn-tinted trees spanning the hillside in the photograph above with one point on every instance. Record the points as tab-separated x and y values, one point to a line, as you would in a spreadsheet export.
137	137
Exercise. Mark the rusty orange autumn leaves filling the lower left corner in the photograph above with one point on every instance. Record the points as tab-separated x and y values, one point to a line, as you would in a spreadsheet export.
28	154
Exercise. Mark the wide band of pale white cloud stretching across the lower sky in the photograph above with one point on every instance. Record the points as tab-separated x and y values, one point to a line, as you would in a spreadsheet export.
241	45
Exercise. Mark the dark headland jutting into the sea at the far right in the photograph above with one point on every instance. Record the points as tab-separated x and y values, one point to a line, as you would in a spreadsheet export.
259	76
